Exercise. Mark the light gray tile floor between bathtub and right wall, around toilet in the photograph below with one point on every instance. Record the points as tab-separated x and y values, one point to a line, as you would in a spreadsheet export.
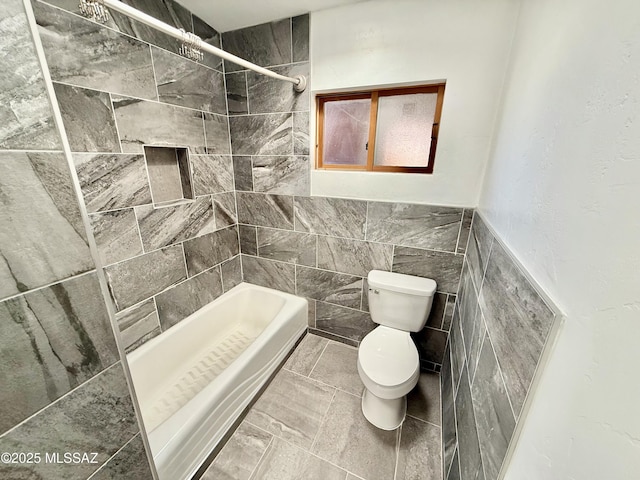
308	425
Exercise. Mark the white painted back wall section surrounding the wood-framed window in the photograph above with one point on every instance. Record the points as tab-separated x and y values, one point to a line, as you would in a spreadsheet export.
390	42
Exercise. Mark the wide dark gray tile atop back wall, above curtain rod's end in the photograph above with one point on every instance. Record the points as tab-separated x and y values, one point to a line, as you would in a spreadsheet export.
266	44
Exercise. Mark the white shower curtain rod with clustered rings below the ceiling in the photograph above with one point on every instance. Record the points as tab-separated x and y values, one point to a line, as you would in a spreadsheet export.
191	40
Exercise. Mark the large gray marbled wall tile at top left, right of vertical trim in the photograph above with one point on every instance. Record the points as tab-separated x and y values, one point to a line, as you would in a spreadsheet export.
87	54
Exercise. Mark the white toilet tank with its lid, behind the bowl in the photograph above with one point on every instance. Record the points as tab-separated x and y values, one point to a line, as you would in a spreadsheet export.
400	301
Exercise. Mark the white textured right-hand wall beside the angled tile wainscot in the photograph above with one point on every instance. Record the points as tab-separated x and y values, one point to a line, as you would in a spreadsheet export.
563	191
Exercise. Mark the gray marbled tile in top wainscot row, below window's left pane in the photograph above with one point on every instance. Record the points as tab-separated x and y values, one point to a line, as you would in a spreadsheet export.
331	216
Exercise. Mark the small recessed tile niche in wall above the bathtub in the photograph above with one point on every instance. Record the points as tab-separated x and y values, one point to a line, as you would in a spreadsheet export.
169	175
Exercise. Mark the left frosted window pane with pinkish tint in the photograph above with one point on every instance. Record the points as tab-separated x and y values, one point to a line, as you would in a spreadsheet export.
346	132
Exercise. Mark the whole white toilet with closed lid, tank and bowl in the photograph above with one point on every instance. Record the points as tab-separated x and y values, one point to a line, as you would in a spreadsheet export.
388	361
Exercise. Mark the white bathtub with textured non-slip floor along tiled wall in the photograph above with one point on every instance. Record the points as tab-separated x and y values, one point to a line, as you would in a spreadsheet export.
193	381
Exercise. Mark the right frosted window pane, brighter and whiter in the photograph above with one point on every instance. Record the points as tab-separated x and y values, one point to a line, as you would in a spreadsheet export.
403	135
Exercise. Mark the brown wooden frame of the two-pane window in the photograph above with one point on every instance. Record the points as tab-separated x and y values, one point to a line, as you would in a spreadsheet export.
374	95
